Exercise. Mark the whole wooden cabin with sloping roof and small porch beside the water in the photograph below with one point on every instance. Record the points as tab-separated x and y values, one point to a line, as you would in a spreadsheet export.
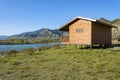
86	31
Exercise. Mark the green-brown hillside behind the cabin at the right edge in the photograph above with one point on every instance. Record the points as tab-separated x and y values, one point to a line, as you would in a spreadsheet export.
115	31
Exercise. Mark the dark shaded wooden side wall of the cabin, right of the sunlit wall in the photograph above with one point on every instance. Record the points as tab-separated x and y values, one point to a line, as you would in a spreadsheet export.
101	34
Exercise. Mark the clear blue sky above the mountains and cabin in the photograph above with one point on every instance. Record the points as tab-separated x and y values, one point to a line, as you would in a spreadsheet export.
18	16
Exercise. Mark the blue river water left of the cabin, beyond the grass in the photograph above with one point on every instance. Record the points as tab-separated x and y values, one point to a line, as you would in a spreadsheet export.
23	46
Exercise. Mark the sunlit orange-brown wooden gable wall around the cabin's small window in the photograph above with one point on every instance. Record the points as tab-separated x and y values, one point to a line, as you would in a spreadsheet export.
80	37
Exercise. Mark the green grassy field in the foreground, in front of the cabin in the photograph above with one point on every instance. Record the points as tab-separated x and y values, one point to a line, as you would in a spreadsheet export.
62	63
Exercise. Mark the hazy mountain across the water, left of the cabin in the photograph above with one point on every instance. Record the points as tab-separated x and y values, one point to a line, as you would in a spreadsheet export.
39	34
